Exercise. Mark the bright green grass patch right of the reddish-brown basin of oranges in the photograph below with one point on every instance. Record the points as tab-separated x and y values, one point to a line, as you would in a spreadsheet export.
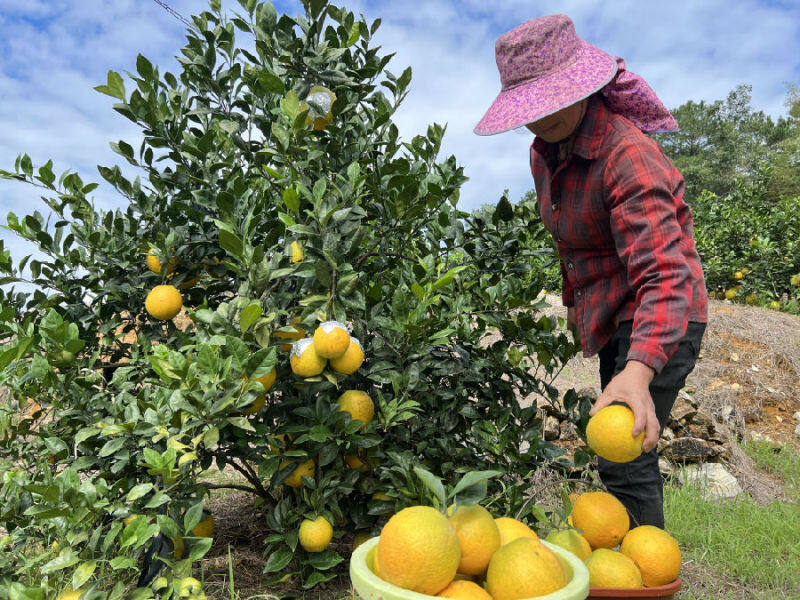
756	545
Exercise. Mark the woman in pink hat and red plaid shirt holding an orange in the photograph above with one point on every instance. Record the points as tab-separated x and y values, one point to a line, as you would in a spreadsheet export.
613	202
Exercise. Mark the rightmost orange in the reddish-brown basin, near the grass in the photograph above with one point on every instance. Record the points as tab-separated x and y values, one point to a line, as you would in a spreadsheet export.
655	552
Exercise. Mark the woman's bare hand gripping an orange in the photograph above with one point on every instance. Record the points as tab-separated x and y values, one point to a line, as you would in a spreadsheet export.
632	386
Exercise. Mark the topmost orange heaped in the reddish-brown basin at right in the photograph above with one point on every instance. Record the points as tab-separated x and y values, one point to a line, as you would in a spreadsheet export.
601	518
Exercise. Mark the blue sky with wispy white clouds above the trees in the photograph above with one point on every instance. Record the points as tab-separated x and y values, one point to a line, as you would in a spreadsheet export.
53	52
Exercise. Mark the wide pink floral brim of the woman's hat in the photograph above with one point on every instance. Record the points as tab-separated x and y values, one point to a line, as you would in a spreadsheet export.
530	102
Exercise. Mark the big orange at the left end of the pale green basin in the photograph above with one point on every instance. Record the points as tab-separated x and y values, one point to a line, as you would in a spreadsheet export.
418	550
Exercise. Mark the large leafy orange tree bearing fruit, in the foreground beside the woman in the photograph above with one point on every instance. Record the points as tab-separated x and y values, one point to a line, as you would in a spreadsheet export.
273	193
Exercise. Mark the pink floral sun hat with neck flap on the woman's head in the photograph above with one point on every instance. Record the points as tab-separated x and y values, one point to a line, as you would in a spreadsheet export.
544	67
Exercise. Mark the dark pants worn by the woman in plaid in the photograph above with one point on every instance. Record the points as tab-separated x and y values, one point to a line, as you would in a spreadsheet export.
637	484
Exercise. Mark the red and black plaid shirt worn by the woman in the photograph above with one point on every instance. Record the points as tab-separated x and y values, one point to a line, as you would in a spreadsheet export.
615	209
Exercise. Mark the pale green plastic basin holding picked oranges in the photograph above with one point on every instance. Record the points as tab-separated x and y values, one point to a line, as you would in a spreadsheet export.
371	587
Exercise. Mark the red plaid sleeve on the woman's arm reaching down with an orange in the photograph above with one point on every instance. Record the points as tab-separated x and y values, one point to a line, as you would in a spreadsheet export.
642	188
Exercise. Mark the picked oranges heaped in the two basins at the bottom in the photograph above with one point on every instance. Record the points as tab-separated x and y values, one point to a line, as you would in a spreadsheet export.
468	554
